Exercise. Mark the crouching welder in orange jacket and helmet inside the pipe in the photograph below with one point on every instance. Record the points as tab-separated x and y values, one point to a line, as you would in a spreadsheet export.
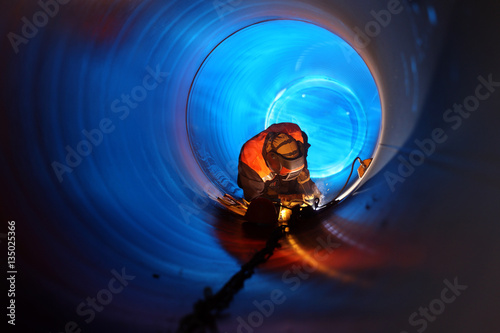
273	165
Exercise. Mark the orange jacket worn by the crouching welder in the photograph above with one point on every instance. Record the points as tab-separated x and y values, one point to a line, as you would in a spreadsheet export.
253	171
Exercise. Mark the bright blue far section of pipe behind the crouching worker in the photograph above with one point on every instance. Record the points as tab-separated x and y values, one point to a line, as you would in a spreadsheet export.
284	71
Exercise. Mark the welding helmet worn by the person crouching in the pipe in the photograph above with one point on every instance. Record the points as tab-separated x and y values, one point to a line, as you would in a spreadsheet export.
284	155
